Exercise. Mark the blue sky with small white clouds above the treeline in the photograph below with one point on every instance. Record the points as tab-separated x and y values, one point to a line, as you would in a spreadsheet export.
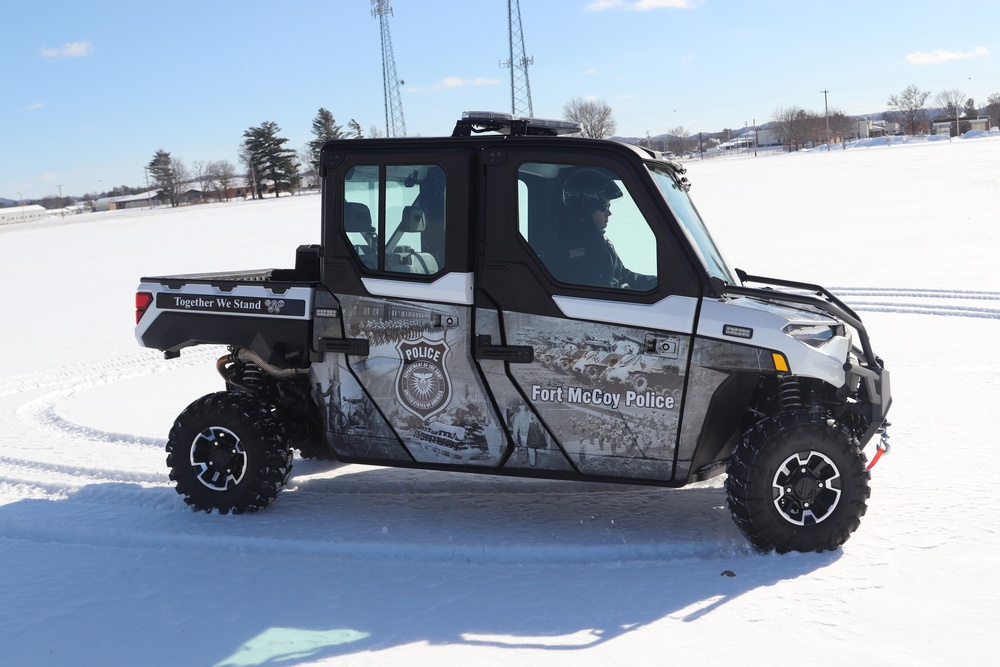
91	89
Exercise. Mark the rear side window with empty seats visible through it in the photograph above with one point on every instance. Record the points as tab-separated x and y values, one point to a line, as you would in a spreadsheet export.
394	217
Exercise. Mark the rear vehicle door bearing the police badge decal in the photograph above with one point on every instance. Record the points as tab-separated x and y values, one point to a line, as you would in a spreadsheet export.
398	380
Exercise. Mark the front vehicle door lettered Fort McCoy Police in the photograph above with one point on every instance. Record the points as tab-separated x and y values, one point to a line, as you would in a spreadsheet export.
595	359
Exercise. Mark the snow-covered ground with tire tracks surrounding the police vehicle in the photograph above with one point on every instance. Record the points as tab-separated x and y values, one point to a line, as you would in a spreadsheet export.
101	563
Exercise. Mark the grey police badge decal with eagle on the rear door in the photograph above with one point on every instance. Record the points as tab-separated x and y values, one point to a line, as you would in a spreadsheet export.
422	383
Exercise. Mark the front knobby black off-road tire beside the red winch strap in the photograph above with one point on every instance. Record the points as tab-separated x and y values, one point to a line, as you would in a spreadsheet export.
797	483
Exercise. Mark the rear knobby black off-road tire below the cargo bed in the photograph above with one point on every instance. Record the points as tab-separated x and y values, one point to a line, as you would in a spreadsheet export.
226	452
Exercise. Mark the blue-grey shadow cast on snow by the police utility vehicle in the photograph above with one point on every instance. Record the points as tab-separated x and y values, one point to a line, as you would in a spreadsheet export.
379	559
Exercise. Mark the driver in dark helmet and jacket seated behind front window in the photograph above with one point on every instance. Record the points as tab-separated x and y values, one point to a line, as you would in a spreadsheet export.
584	256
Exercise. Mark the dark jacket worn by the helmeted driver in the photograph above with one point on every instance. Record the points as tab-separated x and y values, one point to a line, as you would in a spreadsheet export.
583	256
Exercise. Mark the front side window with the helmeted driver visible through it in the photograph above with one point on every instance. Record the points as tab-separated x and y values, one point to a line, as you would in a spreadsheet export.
585	227
